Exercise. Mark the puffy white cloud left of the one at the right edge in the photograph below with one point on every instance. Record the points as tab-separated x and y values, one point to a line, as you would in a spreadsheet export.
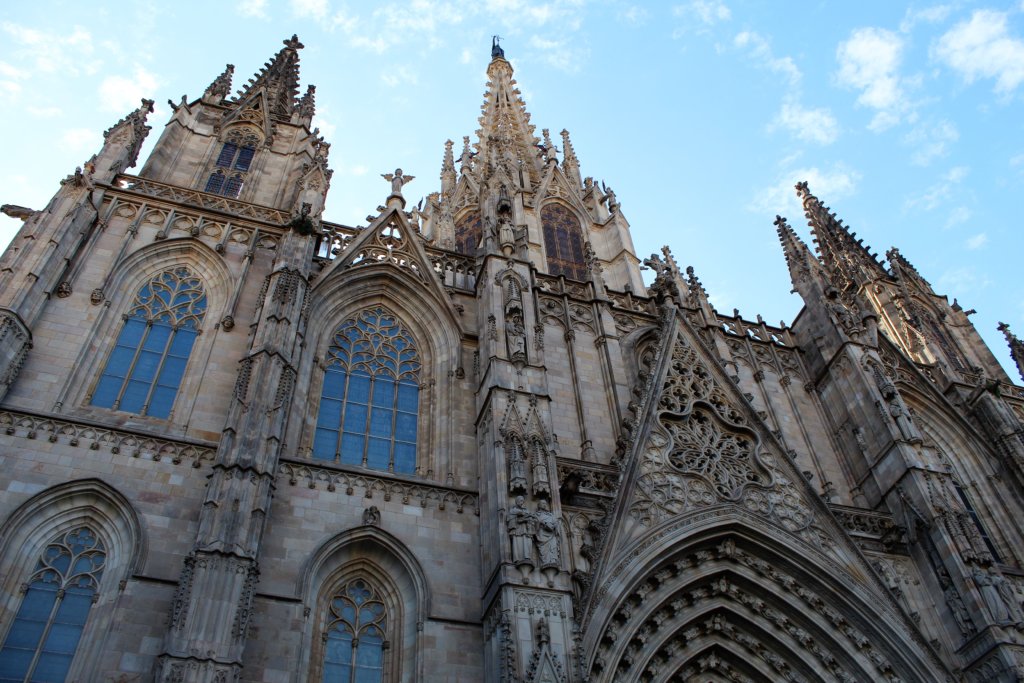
870	62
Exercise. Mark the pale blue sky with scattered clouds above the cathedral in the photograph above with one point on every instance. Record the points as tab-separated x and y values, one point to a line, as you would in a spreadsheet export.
906	118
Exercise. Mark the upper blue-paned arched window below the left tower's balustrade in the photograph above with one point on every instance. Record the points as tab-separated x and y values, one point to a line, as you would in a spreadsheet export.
145	370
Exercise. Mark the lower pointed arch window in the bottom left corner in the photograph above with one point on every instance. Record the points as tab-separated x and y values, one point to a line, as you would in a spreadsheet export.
59	594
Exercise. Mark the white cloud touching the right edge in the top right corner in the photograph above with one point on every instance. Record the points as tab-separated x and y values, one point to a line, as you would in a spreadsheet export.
982	48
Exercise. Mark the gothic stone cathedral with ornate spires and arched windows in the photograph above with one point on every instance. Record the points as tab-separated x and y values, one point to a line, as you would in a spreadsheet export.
466	443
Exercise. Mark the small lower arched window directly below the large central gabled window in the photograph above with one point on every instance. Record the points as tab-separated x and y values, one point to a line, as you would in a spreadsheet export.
356	638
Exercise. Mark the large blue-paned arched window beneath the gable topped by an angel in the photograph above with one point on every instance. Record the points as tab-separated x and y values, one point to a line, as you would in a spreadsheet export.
370	401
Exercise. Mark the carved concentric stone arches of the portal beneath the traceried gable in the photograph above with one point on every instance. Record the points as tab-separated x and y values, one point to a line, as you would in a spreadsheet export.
665	624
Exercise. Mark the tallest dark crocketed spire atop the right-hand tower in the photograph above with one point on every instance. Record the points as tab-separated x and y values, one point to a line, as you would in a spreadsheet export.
846	260
